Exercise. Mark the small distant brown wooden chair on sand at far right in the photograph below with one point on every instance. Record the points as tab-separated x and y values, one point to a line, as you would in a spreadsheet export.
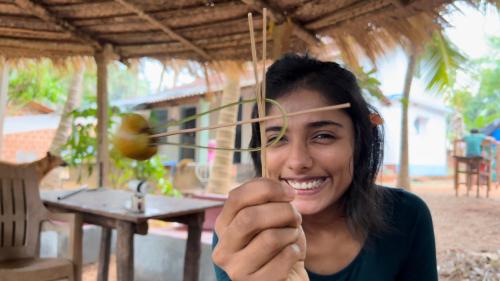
477	169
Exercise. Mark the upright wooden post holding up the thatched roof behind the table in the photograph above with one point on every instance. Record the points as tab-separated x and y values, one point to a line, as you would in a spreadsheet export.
102	58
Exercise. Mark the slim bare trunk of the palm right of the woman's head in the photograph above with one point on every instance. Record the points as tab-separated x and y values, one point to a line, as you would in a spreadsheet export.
403	175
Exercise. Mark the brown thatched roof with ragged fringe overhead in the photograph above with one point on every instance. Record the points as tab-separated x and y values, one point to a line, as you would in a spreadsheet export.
208	30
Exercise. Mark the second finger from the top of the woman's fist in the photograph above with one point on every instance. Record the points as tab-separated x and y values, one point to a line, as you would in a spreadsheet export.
252	220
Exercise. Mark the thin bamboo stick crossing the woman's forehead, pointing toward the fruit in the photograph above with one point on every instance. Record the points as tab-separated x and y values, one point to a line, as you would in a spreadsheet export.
243	122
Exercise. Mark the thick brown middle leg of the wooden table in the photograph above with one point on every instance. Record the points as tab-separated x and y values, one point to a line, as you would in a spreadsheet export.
125	251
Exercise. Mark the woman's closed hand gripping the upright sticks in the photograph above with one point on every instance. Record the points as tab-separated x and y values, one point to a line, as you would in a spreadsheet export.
260	234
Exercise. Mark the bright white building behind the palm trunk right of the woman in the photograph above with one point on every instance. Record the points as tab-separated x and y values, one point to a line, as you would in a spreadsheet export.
427	129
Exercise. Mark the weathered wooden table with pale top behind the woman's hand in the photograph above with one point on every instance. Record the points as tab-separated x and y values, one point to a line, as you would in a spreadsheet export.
106	207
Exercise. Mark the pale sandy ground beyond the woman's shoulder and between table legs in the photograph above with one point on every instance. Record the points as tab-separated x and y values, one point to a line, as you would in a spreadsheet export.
462	223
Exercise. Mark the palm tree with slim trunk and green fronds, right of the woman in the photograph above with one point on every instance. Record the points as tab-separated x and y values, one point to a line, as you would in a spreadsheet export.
440	61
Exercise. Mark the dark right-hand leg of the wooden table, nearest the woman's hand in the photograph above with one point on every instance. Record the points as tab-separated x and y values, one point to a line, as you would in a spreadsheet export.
193	248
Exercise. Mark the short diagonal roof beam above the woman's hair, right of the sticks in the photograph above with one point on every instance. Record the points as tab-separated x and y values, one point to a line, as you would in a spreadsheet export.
300	31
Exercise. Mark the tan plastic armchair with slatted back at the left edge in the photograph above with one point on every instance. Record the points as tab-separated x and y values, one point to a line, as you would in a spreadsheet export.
21	215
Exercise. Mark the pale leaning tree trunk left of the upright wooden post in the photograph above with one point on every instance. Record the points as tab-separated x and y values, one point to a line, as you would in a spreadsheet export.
72	102
